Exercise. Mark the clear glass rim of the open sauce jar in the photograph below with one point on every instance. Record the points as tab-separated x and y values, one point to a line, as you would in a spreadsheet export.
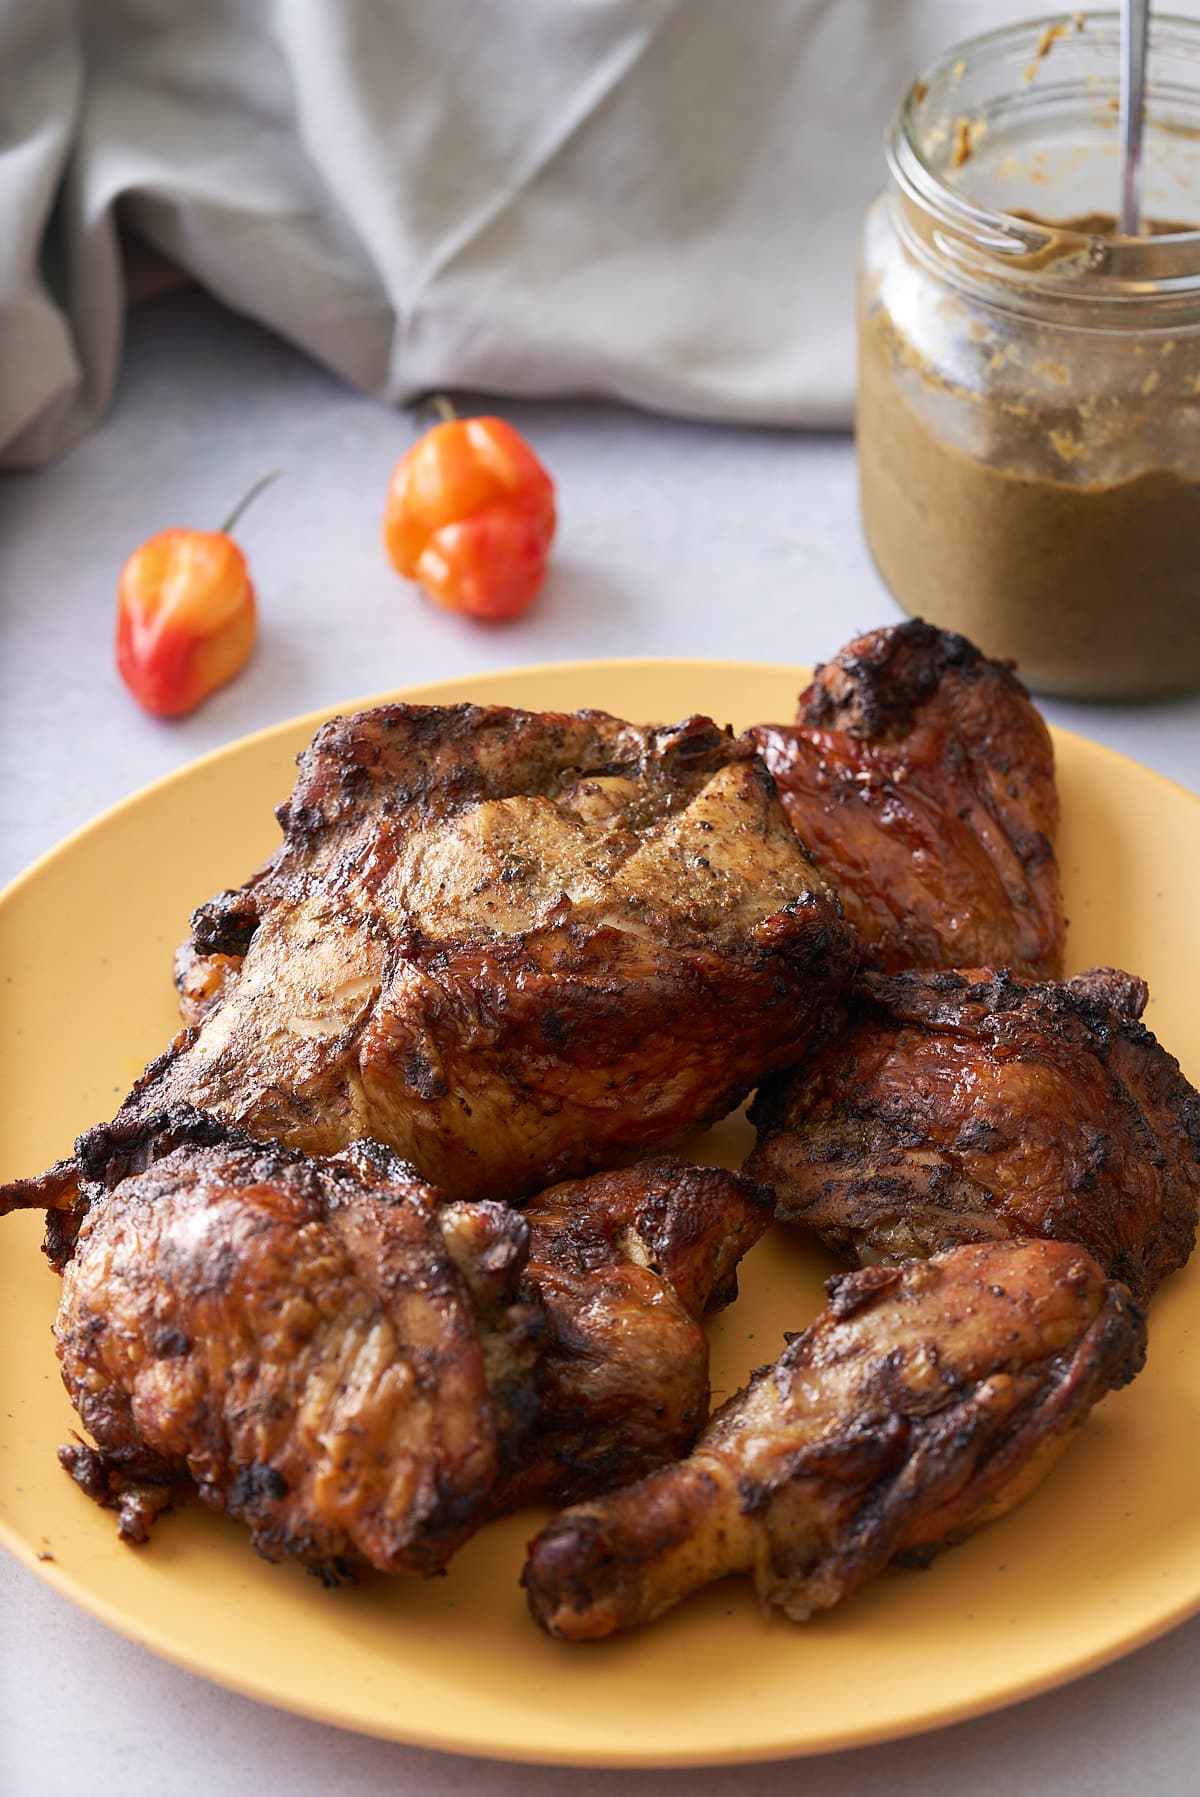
1003	238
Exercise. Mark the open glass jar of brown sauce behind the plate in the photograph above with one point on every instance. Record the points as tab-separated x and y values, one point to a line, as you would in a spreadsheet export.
1028	380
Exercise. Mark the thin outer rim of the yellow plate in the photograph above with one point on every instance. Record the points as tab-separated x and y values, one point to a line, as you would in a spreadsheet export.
155	1640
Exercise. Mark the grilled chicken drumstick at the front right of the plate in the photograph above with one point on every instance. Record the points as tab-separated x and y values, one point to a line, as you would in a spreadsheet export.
922	1403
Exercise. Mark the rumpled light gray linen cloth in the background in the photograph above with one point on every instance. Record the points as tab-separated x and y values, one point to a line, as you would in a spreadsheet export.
646	199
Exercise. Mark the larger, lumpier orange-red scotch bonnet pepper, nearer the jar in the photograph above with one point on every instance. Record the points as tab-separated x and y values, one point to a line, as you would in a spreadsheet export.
470	517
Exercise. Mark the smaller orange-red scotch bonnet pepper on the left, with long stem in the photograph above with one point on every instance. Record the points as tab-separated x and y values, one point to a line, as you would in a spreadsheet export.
186	615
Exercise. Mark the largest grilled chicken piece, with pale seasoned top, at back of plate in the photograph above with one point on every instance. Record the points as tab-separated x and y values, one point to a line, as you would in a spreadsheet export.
513	946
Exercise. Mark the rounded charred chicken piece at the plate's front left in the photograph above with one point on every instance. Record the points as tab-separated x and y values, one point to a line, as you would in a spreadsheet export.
319	1347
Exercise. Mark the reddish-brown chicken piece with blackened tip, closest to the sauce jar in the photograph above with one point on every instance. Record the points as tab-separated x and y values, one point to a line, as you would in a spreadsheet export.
922	781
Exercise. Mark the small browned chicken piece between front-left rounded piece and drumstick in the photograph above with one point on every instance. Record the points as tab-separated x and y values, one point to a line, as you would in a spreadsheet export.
626	1266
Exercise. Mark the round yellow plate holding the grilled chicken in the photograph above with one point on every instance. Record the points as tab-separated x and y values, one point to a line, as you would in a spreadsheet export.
1102	1559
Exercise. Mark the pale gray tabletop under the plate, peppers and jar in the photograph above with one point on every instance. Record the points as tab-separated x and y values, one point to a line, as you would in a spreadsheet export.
676	540
